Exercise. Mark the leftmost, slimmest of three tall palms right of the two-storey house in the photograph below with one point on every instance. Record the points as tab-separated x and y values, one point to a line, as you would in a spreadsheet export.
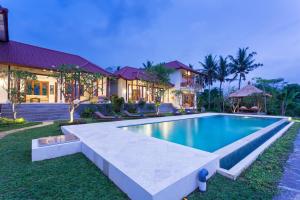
222	73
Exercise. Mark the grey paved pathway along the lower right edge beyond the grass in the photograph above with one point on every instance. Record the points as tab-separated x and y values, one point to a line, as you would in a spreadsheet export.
290	182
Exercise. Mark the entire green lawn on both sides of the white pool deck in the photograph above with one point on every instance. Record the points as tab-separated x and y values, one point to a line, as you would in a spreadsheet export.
75	177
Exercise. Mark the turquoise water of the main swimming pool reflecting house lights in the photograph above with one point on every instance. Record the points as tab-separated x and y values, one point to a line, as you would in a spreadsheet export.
205	133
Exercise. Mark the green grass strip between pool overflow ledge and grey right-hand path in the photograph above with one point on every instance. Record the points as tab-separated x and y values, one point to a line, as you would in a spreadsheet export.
260	180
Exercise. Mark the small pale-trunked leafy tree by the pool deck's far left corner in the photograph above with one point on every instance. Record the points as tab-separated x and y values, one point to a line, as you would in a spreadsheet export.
71	75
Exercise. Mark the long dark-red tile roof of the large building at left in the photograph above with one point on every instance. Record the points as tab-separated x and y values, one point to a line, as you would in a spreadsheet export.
20	54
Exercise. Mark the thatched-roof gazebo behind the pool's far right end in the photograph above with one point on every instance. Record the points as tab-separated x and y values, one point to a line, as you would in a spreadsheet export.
247	91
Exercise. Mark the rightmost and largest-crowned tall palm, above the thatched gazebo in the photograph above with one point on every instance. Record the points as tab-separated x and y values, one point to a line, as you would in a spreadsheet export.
242	64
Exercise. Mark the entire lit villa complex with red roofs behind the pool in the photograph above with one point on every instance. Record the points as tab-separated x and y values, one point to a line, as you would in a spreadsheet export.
130	83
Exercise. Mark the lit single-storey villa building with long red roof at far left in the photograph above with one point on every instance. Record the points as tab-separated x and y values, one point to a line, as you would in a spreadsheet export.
42	62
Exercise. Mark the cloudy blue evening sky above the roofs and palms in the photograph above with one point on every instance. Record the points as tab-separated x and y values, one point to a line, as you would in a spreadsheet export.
129	32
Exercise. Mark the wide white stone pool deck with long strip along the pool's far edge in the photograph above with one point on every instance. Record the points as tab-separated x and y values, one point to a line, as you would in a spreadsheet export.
143	167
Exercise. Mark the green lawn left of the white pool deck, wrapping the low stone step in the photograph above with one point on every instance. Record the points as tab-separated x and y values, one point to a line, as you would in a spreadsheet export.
69	177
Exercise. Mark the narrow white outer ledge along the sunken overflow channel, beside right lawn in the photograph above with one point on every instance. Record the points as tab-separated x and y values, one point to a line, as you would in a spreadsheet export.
237	169
